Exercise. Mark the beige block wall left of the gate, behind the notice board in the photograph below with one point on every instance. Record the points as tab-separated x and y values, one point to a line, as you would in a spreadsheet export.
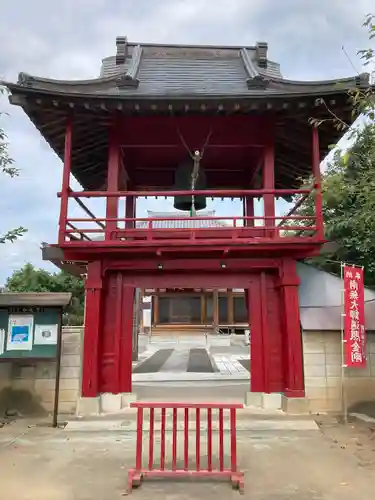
29	387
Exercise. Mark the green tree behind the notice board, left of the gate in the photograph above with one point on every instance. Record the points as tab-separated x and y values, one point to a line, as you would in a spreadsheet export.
31	279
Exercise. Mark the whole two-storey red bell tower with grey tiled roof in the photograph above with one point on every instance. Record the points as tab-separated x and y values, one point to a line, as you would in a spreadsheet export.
193	123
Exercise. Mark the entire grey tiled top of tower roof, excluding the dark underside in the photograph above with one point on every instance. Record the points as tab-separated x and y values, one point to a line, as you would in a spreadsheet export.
157	70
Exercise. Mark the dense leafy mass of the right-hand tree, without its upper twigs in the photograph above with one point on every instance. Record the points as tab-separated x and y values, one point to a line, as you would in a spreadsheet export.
348	188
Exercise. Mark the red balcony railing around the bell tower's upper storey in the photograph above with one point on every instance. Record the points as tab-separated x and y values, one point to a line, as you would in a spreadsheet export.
138	231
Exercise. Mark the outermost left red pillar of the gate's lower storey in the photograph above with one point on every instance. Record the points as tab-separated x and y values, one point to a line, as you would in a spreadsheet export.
94	283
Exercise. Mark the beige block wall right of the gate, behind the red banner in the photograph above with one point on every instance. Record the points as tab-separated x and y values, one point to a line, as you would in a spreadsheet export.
323	381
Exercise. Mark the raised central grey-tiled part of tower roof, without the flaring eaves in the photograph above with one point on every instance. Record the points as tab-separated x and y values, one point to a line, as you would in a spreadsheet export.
173	70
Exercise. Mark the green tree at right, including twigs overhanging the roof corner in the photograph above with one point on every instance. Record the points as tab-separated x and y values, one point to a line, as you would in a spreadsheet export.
348	185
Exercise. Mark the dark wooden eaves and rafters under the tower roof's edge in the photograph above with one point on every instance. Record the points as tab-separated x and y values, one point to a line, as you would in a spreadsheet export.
48	110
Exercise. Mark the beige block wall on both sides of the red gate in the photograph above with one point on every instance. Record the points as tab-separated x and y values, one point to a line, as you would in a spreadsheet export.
29	387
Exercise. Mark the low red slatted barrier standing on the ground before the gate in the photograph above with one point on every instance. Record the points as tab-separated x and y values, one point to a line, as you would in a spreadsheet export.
203	462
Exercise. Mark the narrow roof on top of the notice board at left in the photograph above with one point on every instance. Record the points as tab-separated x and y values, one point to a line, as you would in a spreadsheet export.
45	299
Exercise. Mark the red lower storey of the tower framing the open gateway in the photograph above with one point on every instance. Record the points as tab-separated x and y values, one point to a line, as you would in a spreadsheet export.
272	297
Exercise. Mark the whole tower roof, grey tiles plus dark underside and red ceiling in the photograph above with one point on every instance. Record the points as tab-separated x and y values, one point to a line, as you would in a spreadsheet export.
169	90
